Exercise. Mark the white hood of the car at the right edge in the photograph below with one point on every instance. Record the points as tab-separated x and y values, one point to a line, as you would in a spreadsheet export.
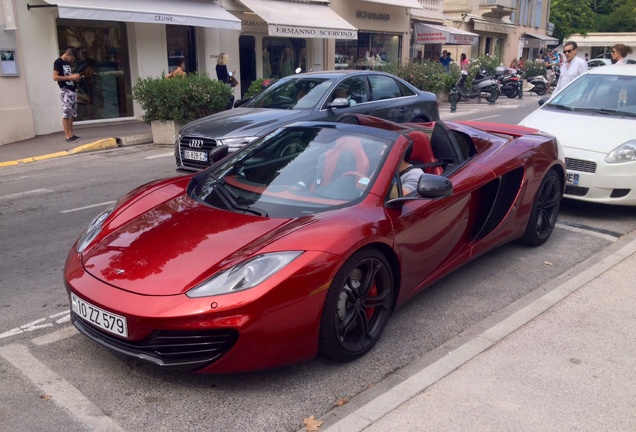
592	132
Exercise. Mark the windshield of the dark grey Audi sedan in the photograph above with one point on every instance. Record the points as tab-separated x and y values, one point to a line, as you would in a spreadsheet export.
296	93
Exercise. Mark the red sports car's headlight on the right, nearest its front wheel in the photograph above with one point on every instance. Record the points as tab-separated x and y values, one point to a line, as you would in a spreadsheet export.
245	275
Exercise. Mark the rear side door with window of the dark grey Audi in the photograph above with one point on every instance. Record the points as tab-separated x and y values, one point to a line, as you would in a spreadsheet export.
387	99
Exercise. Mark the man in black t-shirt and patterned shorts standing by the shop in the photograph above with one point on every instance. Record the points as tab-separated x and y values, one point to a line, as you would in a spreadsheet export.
67	80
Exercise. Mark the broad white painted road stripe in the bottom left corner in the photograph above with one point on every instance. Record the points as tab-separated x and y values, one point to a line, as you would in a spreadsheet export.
62	393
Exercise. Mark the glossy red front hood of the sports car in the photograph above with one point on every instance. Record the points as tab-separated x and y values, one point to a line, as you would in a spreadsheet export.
178	244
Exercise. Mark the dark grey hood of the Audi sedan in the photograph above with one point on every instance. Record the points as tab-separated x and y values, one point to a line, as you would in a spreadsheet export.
240	122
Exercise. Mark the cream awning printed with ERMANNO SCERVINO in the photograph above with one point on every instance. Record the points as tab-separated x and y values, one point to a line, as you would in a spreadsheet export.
301	20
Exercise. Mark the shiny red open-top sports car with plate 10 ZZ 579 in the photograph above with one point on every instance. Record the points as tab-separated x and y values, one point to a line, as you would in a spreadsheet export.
305	242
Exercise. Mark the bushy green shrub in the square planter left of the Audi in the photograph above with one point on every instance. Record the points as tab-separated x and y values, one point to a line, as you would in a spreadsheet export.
181	99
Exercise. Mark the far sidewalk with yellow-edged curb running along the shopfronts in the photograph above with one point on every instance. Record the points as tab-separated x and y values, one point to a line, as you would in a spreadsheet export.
117	134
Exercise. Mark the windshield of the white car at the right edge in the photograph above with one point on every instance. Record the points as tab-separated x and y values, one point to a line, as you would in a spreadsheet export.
602	94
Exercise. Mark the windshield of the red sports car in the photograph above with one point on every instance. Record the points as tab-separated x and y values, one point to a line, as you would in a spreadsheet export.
293	172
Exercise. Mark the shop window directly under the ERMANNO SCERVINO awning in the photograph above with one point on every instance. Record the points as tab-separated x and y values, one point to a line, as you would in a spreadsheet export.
282	56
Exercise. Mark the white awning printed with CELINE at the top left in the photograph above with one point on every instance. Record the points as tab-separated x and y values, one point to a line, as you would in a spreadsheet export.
182	12
